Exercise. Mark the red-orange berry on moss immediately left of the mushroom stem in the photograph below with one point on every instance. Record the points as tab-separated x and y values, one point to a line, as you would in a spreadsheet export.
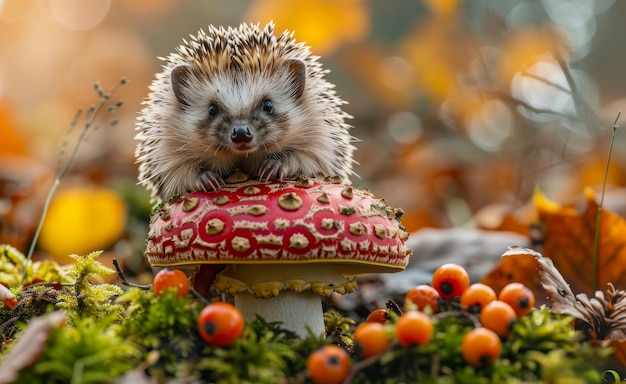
220	324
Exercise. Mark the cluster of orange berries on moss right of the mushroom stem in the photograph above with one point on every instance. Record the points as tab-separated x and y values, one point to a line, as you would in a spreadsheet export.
493	316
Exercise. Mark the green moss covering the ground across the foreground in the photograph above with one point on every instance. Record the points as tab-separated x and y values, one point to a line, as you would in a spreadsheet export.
112	331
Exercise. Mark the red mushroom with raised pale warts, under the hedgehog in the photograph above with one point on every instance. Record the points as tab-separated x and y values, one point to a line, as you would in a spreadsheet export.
280	246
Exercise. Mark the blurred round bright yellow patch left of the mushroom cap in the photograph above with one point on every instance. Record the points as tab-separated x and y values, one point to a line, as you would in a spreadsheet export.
82	220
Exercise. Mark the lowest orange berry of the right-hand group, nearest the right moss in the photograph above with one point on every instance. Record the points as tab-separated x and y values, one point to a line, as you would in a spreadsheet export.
480	347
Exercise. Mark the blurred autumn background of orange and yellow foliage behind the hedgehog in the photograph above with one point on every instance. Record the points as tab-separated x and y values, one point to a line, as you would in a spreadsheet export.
462	109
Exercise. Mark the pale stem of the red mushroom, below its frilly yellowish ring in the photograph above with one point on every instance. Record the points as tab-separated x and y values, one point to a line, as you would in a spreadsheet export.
299	312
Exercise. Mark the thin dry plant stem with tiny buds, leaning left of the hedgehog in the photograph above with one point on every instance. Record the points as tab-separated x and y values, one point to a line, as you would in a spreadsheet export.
92	116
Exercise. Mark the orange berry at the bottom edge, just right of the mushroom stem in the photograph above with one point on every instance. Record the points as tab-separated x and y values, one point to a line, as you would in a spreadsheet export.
328	365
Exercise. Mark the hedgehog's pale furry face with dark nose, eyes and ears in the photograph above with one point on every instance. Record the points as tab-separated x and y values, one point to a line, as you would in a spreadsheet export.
240	111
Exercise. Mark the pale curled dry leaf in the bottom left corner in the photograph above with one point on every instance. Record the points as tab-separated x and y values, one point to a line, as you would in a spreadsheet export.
29	346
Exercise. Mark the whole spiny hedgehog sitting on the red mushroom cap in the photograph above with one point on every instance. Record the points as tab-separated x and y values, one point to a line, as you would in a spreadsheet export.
240	99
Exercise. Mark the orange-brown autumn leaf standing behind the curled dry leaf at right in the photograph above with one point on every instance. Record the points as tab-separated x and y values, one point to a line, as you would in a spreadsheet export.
568	240
